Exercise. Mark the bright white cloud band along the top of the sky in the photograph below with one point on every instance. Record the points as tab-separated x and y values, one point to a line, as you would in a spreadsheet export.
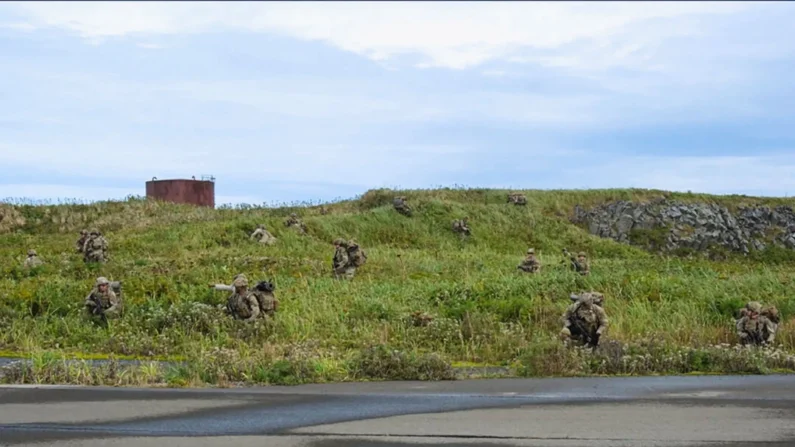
453	35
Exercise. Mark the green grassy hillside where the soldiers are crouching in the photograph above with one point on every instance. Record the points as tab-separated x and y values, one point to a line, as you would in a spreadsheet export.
667	315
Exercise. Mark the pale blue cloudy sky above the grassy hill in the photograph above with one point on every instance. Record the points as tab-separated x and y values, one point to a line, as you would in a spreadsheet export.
301	101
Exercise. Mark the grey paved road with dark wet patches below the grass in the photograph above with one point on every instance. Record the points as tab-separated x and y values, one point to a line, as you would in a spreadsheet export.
678	411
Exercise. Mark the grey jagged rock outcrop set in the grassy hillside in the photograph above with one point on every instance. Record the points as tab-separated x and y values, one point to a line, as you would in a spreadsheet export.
669	225
